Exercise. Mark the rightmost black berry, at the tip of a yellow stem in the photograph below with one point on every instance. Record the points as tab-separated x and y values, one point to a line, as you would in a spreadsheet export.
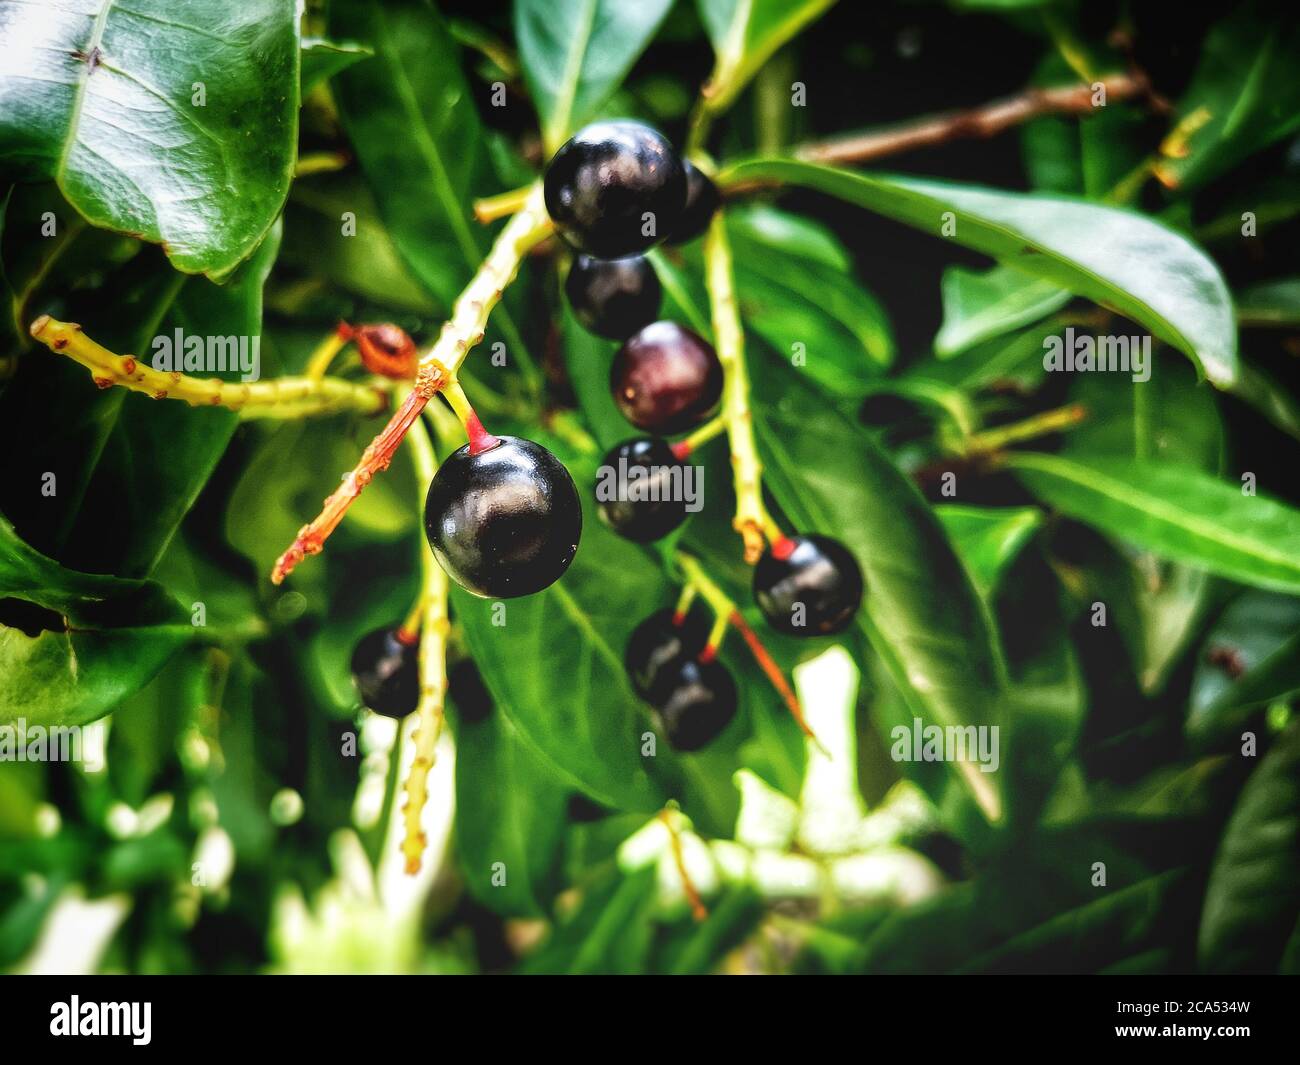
808	586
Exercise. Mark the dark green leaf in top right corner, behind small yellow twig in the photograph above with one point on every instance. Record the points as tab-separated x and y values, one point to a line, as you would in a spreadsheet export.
1243	97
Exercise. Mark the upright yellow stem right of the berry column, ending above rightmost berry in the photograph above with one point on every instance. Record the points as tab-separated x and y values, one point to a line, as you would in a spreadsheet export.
752	519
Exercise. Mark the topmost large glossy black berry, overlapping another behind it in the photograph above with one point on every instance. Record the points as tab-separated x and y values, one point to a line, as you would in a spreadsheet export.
616	189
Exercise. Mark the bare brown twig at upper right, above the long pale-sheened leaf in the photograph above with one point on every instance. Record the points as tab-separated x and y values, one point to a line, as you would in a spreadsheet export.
982	122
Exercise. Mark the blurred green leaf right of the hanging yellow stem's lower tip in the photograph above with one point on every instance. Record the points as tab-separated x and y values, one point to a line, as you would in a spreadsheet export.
510	809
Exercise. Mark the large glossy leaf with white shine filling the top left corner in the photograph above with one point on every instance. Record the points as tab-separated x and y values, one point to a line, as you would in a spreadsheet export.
103	99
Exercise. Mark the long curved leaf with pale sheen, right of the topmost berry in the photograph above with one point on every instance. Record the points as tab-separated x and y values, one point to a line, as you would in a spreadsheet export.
1116	258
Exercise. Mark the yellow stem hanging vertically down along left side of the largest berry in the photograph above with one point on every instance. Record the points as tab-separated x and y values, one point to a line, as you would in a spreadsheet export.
434	626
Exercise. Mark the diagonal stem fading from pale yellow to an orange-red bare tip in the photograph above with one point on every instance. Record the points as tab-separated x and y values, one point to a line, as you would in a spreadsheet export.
437	366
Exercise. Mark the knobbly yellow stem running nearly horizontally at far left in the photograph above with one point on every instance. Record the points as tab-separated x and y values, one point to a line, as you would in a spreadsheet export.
280	397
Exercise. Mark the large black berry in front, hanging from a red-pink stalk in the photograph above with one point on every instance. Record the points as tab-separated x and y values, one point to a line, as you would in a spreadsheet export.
506	522
